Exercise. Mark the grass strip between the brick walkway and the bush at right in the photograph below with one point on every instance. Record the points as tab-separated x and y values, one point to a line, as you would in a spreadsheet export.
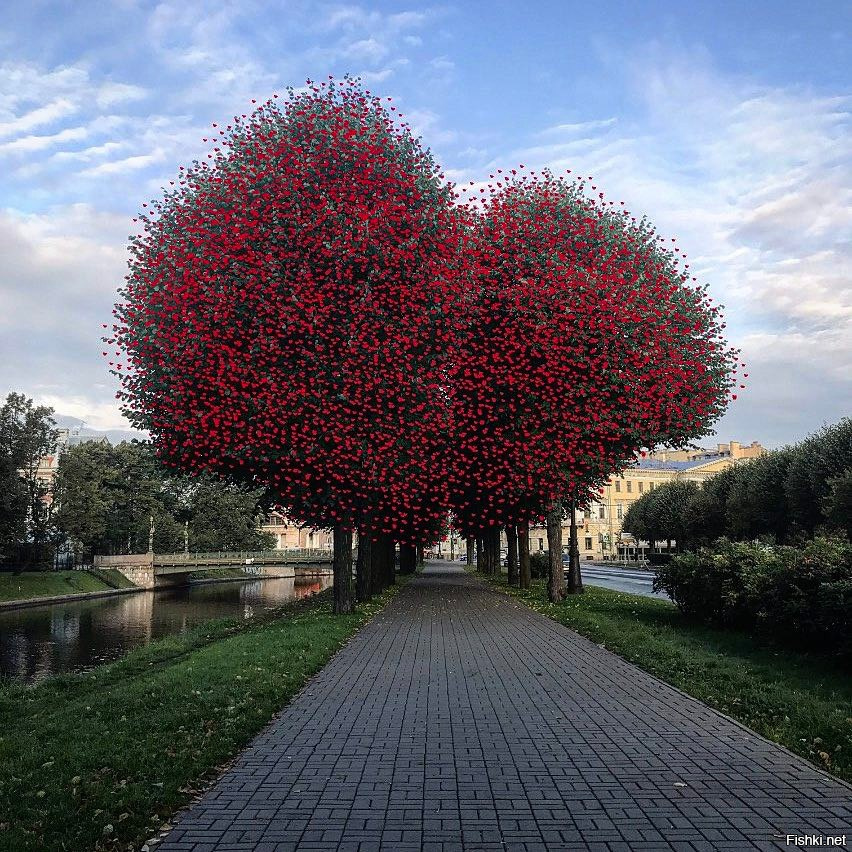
802	701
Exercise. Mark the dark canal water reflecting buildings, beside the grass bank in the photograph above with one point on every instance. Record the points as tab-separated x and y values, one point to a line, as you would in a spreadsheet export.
39	641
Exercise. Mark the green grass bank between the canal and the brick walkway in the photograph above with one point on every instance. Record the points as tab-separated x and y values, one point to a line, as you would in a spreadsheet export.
127	744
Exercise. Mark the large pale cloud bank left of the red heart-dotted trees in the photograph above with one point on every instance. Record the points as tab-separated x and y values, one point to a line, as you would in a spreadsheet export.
58	283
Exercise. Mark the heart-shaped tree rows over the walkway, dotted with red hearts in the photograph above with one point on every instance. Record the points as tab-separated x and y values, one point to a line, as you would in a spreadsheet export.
314	311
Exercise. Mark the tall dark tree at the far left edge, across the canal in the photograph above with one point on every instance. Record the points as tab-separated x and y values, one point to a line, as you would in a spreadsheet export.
27	434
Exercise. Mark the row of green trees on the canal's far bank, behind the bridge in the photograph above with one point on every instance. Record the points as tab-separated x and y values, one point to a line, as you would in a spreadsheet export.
103	498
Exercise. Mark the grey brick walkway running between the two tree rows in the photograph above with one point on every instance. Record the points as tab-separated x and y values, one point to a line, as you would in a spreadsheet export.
460	720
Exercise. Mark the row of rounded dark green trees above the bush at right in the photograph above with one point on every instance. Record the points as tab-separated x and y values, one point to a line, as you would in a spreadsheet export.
784	495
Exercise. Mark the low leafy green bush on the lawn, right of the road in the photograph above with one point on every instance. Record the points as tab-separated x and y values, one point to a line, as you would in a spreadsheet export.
801	595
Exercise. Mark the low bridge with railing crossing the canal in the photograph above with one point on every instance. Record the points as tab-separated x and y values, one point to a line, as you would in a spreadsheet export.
154	571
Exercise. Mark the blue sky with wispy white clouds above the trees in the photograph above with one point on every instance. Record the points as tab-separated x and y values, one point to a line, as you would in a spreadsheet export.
726	123
